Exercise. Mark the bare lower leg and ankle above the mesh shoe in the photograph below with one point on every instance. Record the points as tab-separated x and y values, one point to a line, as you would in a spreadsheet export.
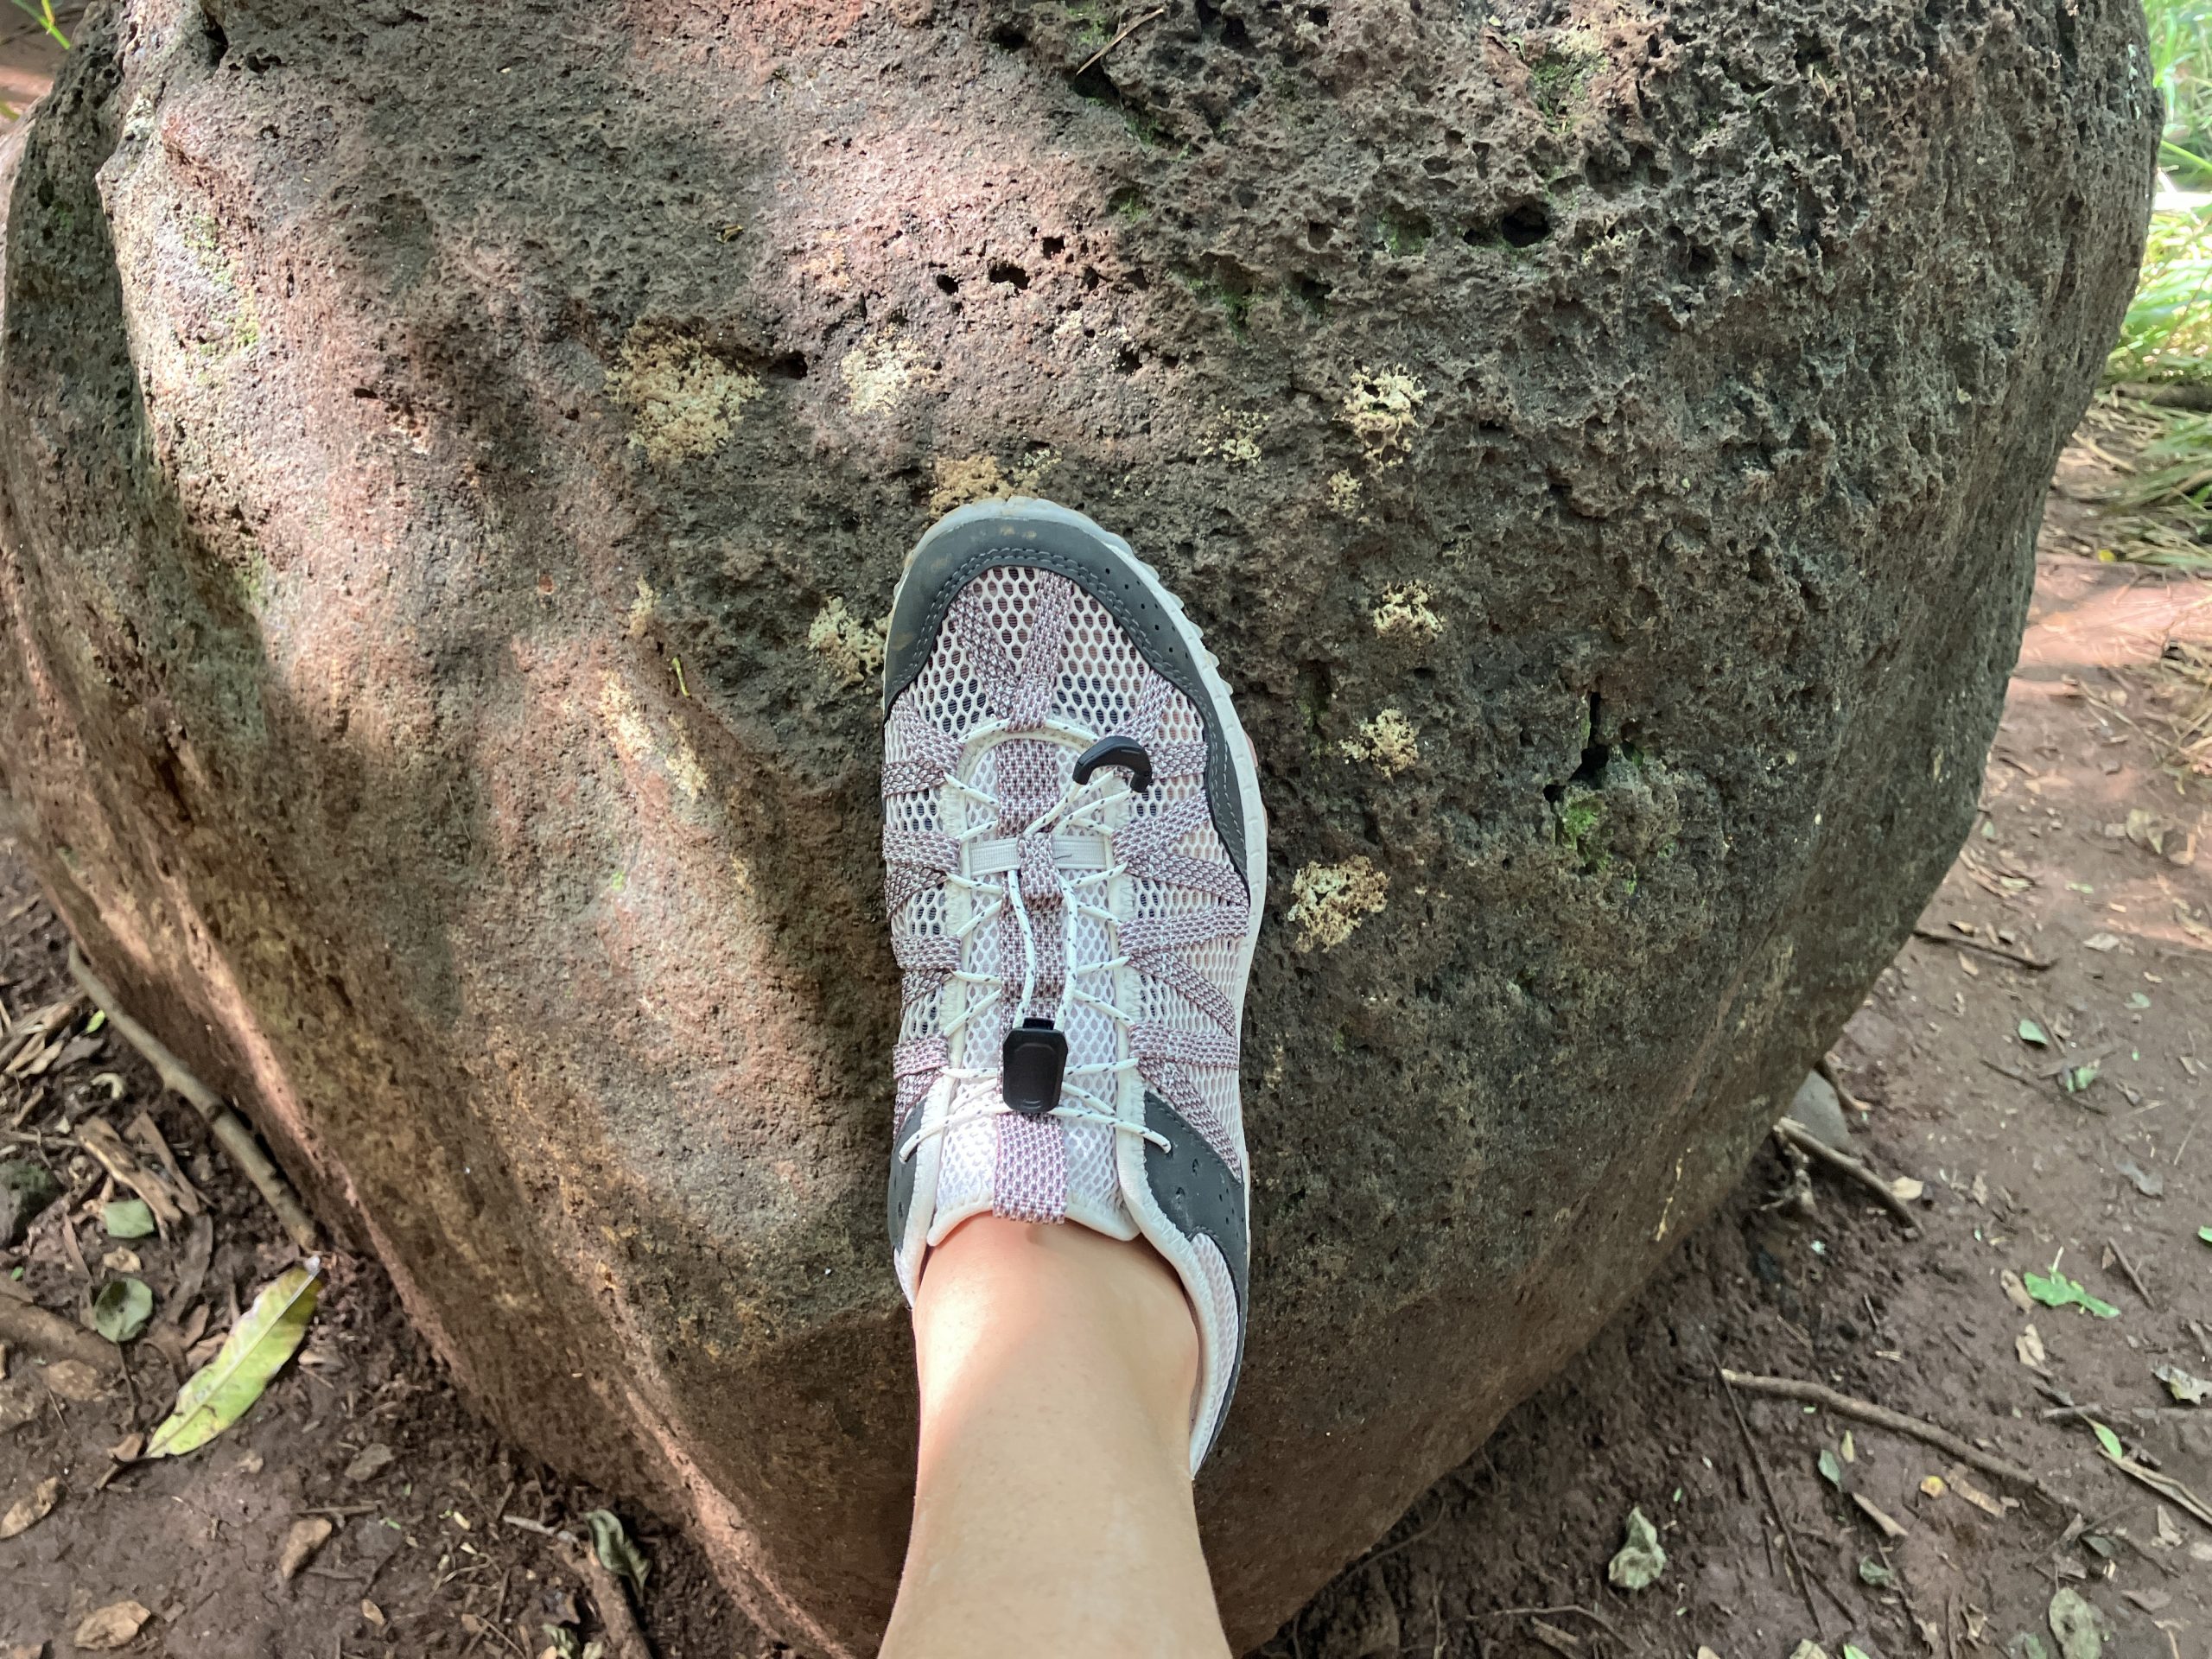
1052	1510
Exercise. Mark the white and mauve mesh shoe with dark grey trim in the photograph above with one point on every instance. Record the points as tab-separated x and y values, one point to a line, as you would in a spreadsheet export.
1076	868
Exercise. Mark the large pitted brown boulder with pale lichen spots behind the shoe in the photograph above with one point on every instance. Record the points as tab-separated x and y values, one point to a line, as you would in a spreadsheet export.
457	461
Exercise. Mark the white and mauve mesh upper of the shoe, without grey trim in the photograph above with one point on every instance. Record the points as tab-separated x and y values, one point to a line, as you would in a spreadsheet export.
1027	669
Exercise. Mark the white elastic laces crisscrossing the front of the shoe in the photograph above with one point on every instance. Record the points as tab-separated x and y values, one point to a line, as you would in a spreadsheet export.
1072	813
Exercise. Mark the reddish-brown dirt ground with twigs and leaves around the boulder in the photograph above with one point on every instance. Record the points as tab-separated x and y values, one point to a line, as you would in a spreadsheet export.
2038	1061
